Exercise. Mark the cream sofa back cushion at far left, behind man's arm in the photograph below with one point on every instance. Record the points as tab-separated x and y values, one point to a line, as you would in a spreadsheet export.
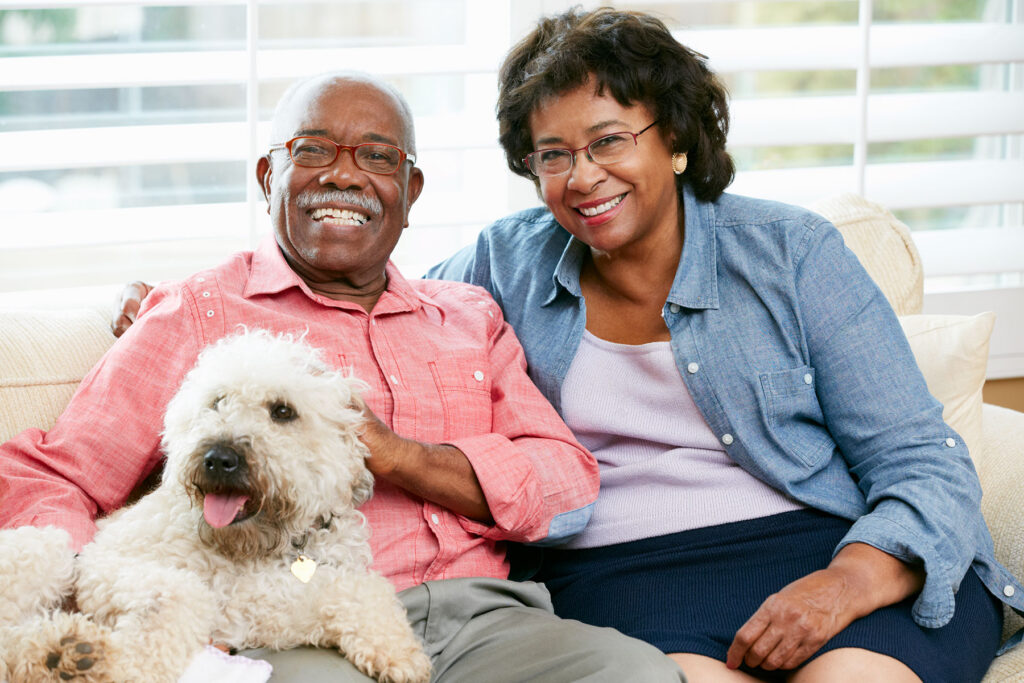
44	358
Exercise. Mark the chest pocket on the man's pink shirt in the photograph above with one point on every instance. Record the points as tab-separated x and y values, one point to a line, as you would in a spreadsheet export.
463	382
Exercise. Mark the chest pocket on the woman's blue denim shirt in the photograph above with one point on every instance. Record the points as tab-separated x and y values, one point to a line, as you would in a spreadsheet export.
793	416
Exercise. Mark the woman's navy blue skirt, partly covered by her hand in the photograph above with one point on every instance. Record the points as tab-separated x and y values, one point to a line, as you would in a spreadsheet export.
691	592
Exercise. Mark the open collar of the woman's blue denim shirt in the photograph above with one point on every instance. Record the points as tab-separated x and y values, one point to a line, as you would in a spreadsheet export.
696	283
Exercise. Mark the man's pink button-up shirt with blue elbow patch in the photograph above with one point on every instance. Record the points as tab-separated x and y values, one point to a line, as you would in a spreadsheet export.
443	367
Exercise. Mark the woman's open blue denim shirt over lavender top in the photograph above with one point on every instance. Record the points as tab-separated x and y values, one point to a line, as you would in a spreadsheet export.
797	362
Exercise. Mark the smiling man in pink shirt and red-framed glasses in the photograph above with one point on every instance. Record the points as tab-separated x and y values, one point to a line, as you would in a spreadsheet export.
466	452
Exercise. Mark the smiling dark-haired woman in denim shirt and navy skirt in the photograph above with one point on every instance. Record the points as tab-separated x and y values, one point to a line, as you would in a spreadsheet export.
780	495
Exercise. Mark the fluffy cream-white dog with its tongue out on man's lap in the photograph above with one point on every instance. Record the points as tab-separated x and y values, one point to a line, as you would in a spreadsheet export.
252	539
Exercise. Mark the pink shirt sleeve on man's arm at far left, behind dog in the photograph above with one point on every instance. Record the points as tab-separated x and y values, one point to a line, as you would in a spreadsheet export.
108	439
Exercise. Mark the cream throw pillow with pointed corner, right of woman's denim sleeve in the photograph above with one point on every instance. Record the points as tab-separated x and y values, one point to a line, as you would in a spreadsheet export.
953	355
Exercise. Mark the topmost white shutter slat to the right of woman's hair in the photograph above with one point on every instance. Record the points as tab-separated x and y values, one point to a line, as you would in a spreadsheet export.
788	49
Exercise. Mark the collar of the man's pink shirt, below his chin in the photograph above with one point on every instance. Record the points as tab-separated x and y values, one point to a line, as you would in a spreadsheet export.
270	274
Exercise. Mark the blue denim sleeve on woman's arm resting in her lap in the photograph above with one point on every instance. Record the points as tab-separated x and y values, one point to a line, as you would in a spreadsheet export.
914	471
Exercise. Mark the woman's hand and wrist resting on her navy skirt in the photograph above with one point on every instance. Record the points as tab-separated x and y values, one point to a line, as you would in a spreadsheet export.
795	623
